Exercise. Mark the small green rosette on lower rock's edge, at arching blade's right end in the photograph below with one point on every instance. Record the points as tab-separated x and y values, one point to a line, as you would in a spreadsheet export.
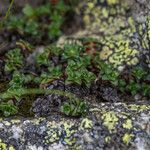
74	108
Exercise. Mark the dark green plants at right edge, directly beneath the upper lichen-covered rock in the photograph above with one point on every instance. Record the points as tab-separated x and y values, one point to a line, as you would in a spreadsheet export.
136	81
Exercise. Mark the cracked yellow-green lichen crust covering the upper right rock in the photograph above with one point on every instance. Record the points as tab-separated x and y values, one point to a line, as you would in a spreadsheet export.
109	22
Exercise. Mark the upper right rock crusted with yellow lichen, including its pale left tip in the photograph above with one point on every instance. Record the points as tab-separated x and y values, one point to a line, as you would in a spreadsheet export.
123	40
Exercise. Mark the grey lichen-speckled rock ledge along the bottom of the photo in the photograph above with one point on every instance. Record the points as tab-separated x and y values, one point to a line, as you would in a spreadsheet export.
107	126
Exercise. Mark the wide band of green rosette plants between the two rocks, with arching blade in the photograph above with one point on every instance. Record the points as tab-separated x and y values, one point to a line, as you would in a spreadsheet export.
74	65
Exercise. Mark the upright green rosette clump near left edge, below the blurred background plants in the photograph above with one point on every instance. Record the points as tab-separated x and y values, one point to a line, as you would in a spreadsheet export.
14	60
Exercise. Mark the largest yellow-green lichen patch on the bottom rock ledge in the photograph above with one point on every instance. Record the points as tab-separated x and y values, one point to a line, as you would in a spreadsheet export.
110	120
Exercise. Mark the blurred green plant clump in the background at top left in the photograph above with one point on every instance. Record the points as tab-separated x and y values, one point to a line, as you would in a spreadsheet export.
43	21
